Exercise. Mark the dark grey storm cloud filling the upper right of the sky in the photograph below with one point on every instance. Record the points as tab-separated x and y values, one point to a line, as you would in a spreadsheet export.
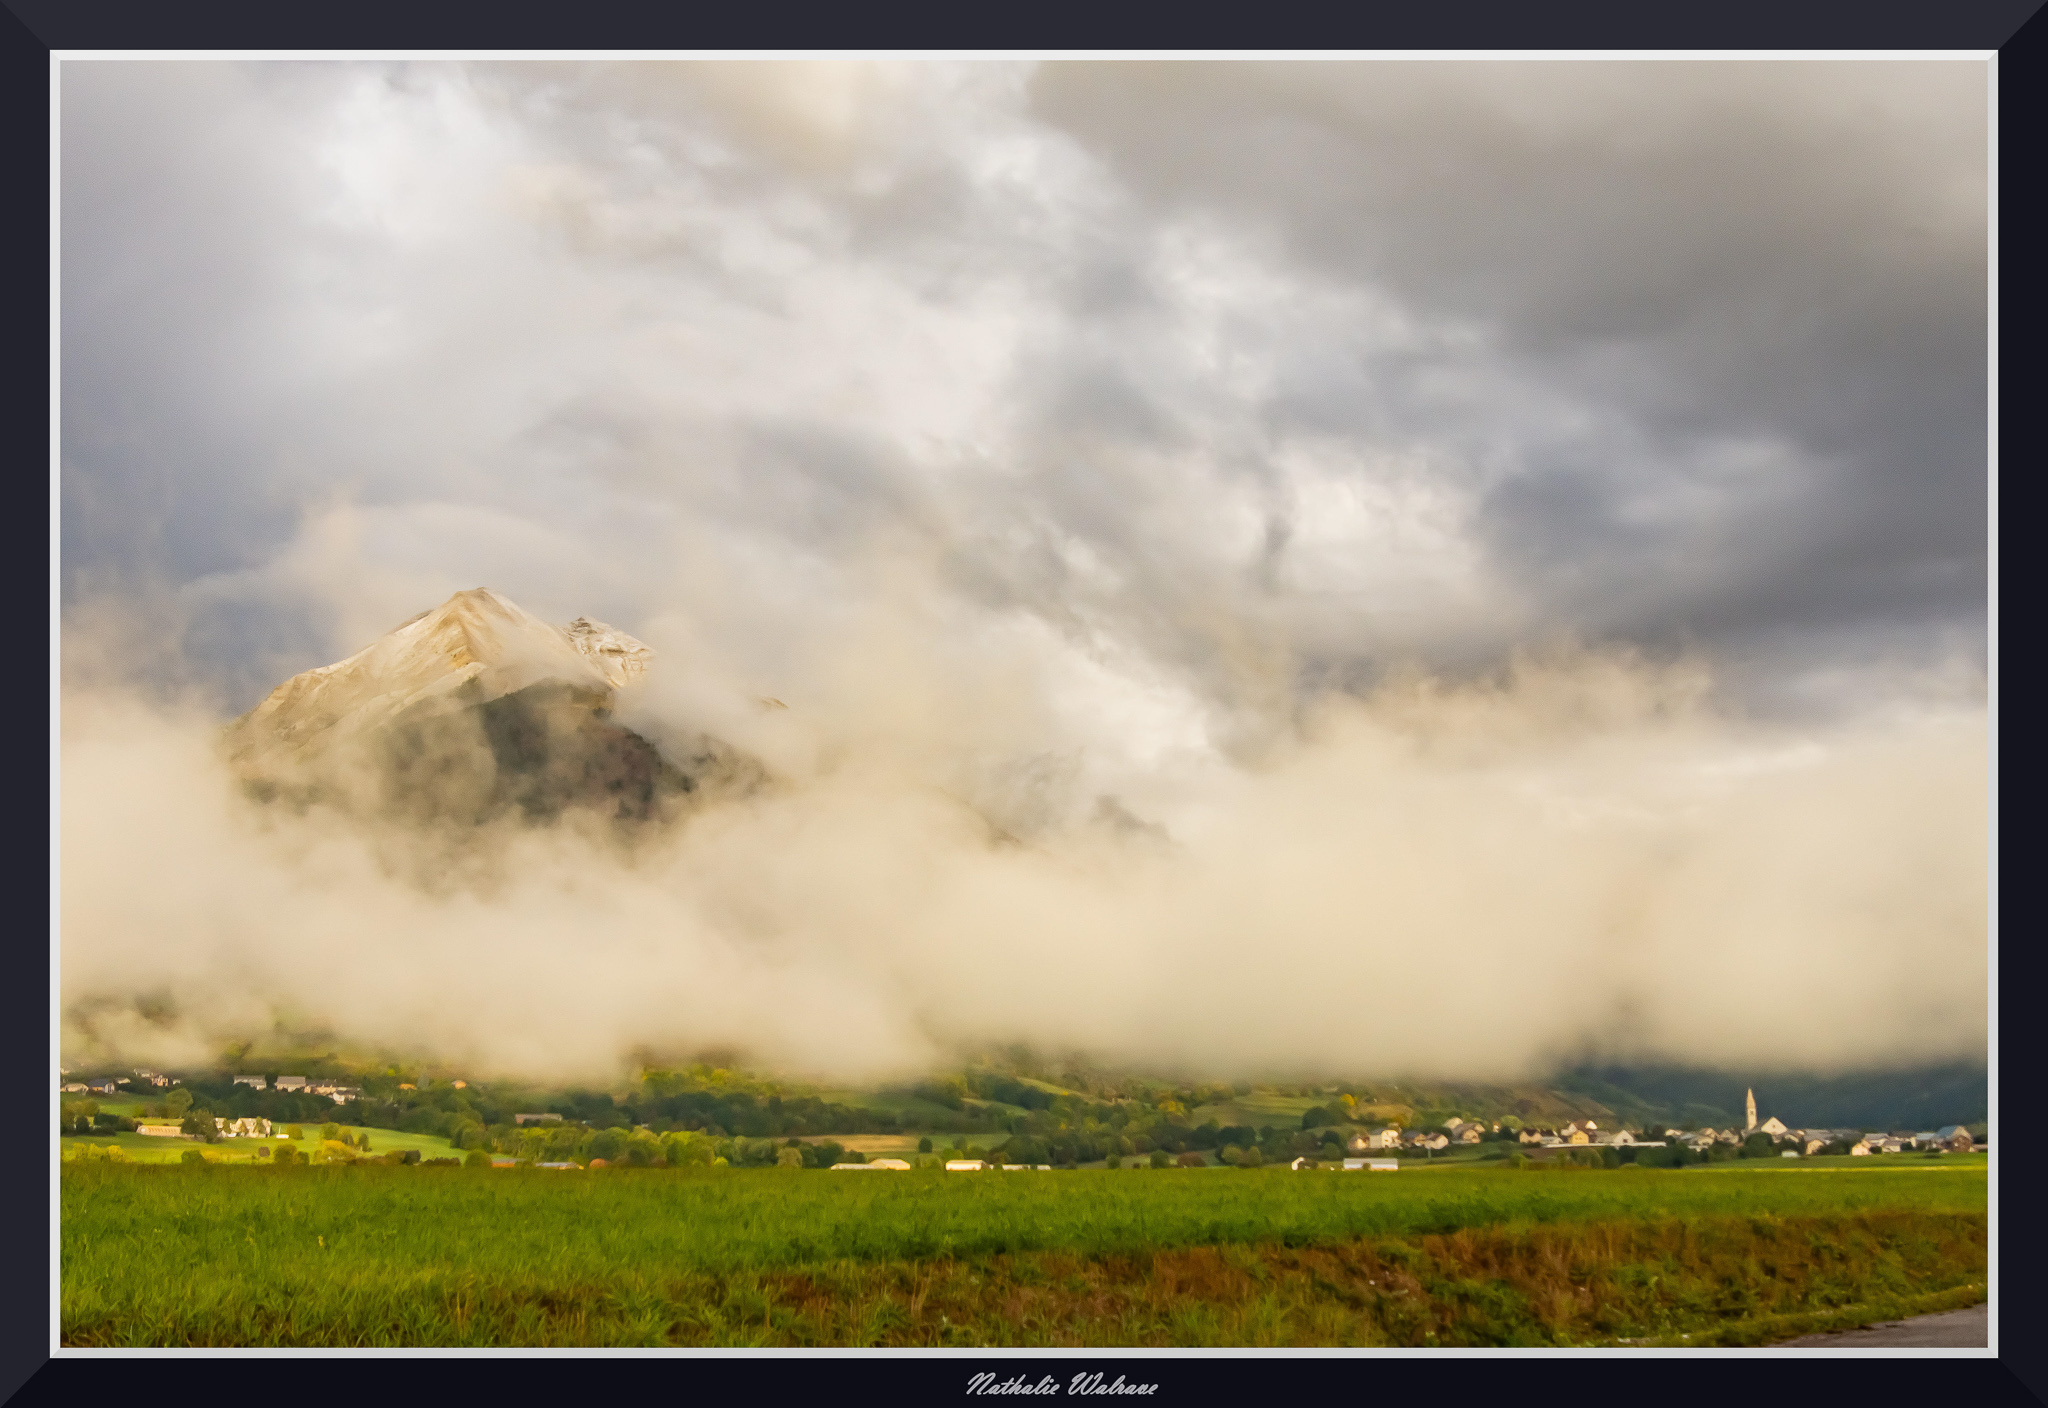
1719	263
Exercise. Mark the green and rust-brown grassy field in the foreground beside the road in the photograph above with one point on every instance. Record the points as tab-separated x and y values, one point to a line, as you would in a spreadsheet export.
232	1256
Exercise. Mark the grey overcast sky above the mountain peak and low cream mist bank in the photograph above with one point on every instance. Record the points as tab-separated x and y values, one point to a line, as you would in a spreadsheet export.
1355	363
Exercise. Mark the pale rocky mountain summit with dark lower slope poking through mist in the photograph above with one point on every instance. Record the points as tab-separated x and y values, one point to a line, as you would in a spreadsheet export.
470	713
